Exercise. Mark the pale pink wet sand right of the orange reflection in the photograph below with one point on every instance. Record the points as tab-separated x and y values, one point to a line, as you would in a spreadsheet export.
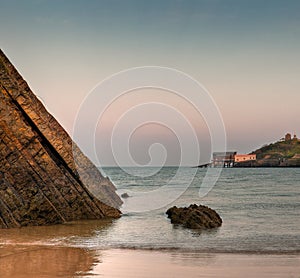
134	263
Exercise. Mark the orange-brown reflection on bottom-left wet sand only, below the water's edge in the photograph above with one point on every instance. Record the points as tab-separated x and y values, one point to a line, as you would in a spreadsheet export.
41	261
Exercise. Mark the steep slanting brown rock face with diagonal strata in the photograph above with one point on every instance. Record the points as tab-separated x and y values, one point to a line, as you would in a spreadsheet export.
39	181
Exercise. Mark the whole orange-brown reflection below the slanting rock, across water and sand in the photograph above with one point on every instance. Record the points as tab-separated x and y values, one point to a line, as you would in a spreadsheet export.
50	251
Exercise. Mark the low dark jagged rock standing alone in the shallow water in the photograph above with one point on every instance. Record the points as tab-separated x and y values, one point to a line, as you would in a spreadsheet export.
195	217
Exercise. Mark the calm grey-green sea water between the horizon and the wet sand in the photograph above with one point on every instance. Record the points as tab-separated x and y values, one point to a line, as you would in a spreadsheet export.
260	209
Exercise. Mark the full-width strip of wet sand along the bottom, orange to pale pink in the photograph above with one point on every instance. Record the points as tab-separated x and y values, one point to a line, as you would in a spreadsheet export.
52	261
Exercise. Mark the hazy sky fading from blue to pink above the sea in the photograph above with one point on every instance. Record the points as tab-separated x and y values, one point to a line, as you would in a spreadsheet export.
244	53
